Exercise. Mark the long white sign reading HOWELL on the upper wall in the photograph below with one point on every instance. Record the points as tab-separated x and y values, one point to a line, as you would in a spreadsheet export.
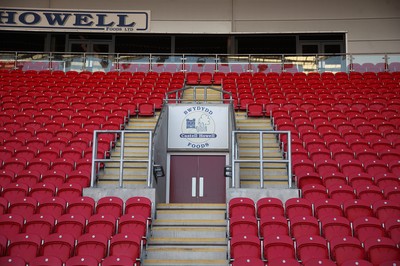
74	20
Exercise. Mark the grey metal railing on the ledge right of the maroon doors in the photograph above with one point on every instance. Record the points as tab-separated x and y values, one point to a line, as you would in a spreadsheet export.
236	161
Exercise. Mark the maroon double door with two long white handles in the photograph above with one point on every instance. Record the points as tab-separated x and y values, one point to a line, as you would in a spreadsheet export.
197	179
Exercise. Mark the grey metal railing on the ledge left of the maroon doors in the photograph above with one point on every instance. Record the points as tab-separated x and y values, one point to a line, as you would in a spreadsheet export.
121	159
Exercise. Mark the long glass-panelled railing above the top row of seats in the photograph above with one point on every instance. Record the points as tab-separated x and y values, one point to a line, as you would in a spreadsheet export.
199	62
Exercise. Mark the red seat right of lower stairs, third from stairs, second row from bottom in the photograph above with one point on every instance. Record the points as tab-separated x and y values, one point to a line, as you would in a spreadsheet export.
311	247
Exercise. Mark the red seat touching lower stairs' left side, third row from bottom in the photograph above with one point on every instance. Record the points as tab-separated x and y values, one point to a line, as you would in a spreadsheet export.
133	224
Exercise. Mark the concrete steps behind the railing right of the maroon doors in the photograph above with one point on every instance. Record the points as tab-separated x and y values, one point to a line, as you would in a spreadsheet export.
275	174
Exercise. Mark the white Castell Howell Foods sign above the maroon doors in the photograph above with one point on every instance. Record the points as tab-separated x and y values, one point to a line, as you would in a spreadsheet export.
198	127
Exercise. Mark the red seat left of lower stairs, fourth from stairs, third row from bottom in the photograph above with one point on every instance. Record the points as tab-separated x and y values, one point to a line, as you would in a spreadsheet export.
39	224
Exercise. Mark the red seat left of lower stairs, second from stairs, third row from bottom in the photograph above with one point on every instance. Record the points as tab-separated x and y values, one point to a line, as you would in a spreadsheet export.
101	224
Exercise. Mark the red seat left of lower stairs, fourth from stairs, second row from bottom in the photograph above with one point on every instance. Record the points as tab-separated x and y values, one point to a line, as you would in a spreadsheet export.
25	246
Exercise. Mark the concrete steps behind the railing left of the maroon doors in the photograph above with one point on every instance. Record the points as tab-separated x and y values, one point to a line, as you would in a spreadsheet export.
136	148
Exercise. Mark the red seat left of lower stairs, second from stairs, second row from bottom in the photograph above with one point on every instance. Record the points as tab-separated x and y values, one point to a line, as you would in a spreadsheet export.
93	245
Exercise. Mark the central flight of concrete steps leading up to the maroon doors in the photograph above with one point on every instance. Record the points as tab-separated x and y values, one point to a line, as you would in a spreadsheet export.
188	234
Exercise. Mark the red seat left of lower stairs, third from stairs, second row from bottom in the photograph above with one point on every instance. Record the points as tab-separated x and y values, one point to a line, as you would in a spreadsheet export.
60	246
